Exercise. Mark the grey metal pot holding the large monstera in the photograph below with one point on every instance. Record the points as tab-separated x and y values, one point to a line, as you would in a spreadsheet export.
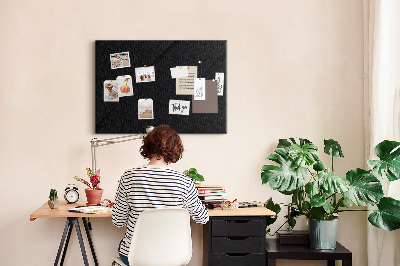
323	234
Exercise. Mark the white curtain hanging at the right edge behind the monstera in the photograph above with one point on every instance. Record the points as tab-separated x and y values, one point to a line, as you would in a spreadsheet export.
383	109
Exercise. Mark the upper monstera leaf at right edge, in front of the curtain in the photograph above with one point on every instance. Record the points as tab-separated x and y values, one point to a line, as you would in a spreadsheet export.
388	153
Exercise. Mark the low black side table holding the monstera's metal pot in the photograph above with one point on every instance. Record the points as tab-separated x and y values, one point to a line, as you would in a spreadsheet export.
304	252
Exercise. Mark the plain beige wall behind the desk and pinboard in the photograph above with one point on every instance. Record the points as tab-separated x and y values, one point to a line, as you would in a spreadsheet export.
294	69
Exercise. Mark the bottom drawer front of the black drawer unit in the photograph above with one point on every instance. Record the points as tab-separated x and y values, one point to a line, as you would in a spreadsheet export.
237	259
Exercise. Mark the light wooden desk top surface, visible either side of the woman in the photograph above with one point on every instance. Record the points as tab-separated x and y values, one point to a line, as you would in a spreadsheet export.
62	212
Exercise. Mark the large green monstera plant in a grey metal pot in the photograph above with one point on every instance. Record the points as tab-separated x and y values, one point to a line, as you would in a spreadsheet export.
319	194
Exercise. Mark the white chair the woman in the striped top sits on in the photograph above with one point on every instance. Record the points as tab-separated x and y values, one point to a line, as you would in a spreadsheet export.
162	237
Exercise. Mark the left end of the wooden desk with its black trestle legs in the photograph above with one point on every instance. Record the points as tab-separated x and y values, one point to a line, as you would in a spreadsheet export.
72	219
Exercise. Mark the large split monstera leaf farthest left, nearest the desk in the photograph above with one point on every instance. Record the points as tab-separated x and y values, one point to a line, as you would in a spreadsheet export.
286	177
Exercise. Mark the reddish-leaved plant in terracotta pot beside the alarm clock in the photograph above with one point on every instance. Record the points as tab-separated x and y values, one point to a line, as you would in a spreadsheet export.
93	193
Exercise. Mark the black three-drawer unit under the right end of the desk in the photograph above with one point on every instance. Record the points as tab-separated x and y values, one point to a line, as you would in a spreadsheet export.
234	241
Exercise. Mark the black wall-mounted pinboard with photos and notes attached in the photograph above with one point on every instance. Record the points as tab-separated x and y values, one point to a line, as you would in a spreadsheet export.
182	84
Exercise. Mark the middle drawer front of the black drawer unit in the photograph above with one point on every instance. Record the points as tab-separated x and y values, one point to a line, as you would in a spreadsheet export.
237	245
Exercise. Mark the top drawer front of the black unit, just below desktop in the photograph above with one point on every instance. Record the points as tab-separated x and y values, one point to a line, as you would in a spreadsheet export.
236	227
